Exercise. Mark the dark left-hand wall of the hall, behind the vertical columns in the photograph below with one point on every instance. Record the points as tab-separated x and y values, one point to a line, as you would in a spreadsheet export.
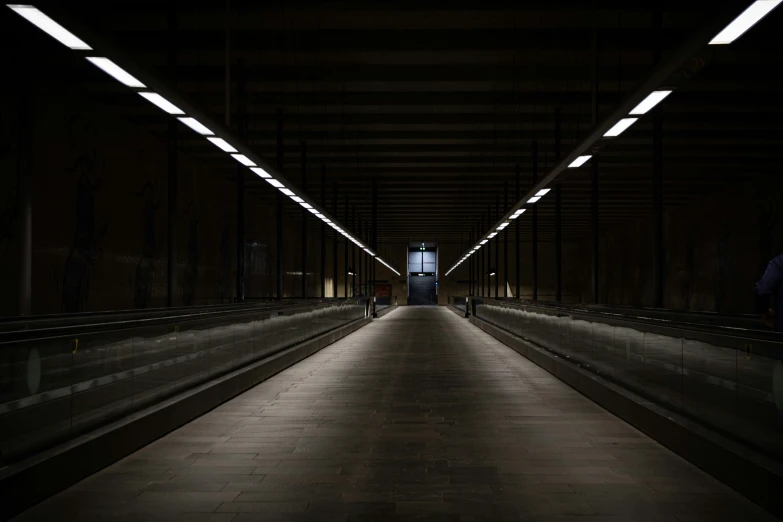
100	217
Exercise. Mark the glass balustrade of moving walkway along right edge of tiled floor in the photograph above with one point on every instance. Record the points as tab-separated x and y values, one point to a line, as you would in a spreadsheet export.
727	378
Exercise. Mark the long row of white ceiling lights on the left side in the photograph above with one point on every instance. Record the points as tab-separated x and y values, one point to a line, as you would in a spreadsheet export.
61	34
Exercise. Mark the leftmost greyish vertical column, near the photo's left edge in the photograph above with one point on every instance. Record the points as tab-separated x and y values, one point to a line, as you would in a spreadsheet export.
25	175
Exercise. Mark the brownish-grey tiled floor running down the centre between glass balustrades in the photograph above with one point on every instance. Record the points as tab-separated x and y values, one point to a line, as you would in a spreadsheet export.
418	416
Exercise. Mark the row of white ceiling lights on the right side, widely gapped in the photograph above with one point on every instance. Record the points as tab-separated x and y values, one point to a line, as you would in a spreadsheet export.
747	19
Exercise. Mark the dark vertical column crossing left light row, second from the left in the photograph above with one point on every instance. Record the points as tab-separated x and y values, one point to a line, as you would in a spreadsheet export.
171	207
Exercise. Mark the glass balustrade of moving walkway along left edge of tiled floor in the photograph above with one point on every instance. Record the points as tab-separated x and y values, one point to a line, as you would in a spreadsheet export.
57	382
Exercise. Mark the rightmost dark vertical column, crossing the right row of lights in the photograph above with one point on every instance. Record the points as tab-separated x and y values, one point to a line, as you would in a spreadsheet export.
657	181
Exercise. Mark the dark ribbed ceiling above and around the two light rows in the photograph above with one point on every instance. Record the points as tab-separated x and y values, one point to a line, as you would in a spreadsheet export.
438	102
